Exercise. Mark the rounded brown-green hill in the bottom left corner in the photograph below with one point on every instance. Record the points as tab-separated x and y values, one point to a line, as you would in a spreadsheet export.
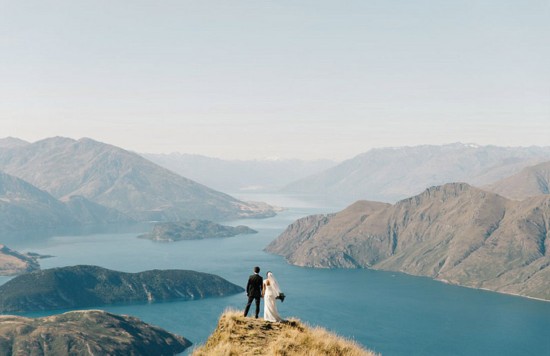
86	332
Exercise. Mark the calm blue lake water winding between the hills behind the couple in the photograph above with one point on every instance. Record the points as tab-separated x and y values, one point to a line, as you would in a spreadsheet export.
390	313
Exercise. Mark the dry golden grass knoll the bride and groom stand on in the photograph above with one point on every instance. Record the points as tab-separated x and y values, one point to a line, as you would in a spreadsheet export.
237	335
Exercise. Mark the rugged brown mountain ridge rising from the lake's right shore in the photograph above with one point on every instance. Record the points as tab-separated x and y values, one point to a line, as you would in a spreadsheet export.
454	233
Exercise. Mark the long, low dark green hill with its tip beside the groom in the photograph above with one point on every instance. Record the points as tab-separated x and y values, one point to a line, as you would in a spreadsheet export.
87	286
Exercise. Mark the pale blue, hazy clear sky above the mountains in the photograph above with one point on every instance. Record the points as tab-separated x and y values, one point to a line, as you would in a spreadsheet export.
254	79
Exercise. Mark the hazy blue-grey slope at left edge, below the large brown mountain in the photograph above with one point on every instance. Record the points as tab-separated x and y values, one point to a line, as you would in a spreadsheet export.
25	207
